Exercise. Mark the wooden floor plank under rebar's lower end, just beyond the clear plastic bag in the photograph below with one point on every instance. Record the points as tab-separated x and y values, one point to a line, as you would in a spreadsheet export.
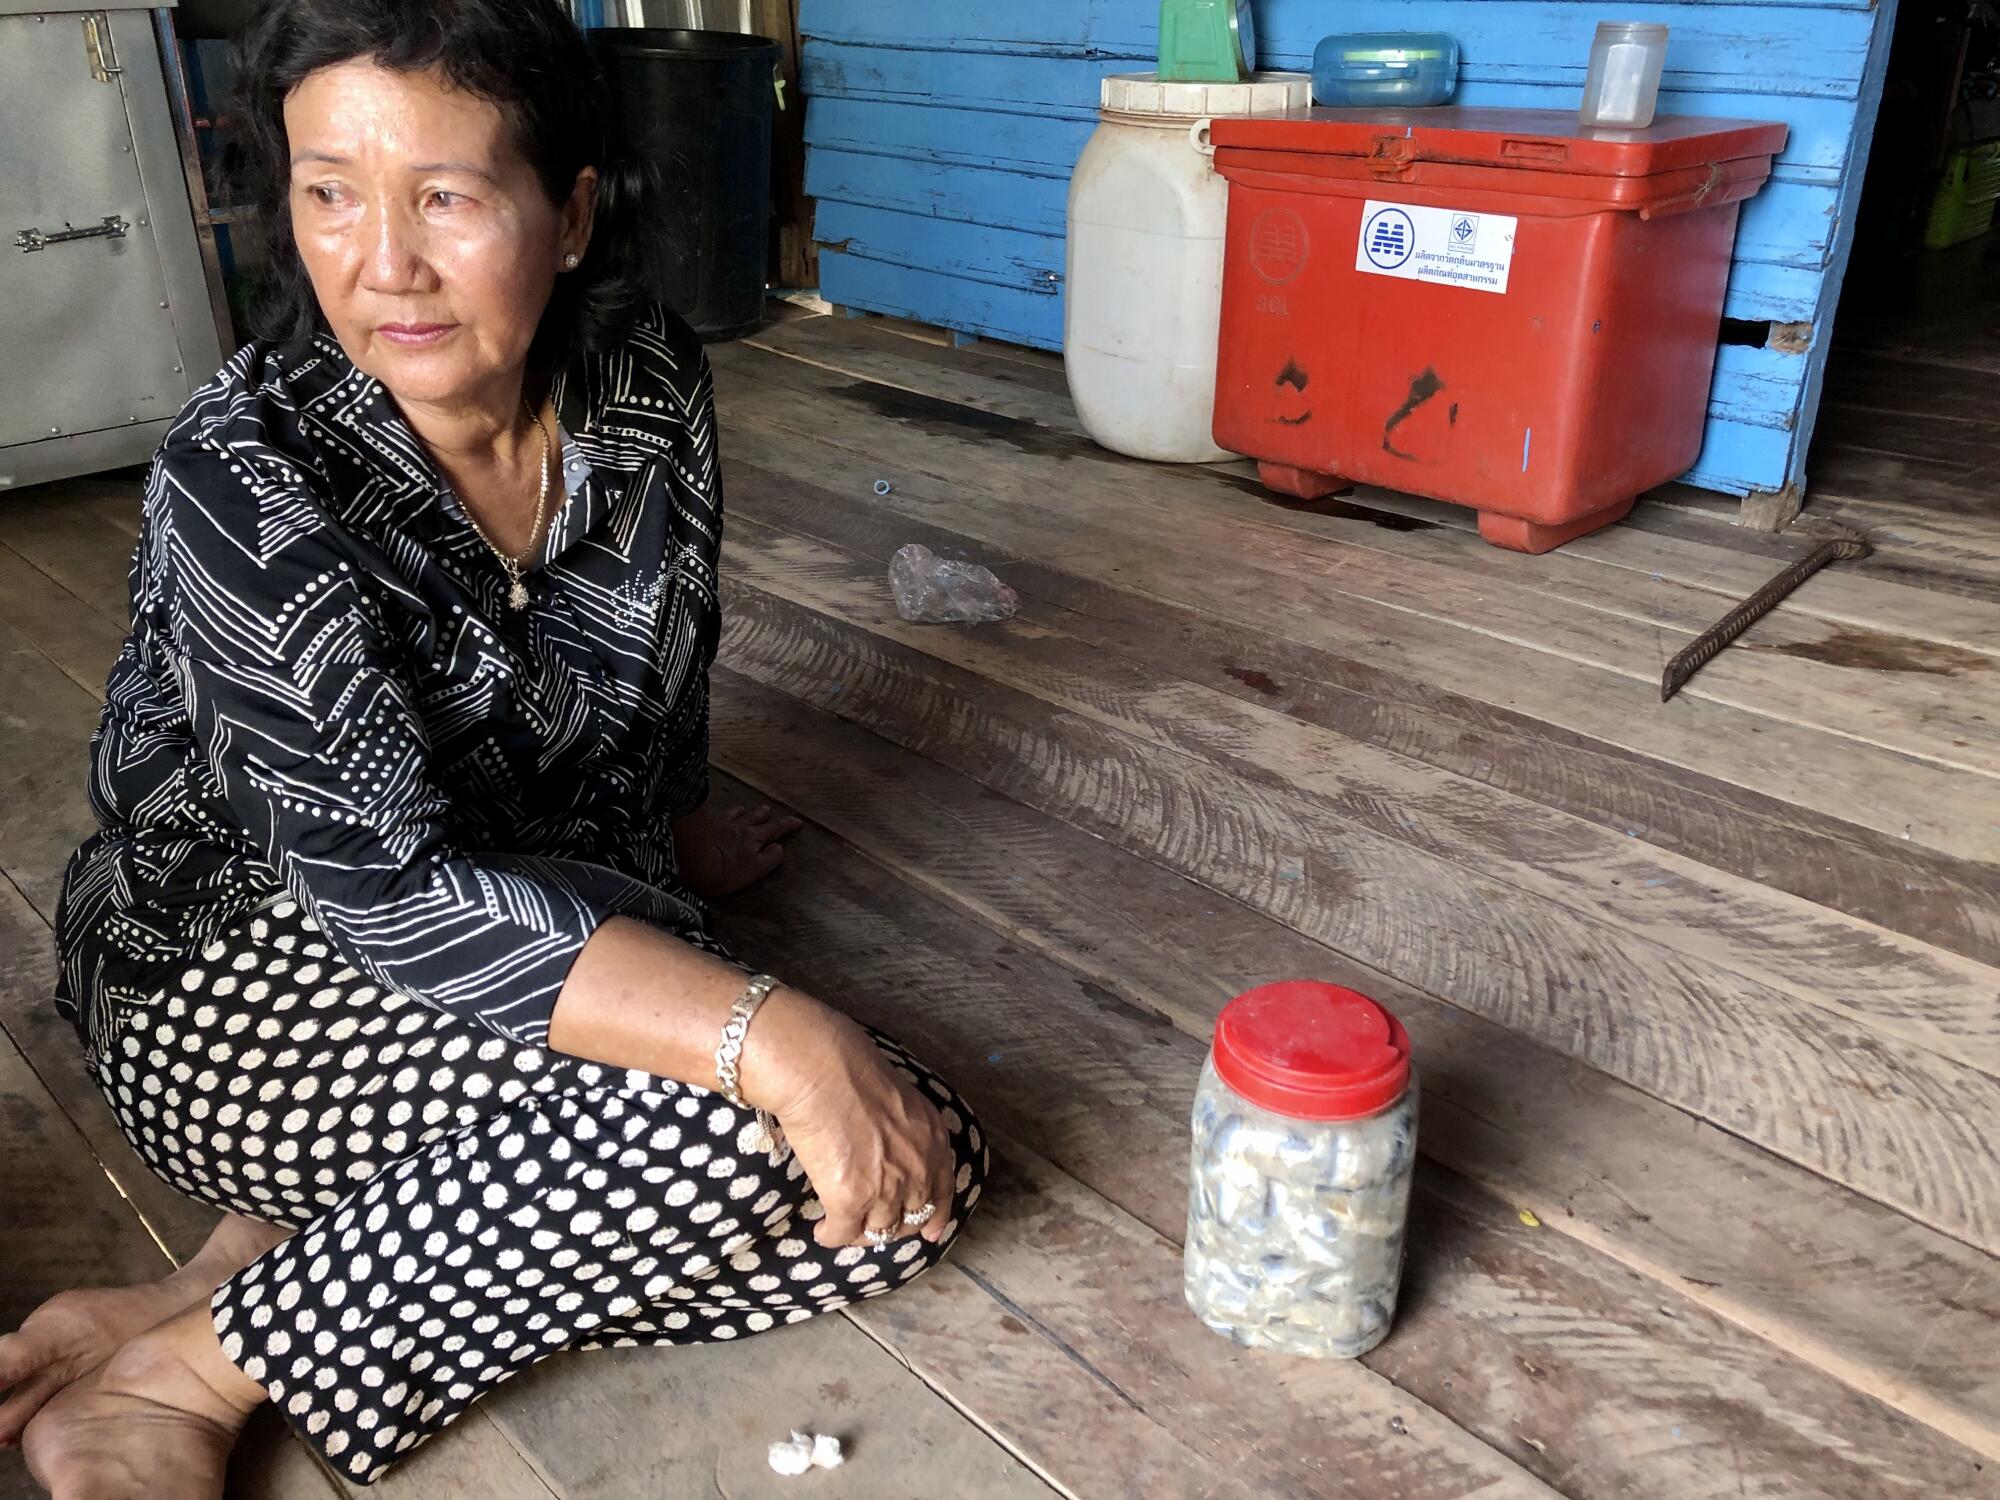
1023	511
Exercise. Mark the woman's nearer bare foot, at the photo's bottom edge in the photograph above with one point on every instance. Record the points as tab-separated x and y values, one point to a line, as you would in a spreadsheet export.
157	1421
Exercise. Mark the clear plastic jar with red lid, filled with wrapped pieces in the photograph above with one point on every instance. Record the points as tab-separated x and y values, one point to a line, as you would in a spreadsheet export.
1305	1143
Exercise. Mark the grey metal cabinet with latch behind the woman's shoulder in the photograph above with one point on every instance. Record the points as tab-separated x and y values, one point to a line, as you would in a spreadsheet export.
107	323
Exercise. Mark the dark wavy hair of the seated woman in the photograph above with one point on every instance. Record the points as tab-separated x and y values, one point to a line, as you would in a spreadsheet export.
531	61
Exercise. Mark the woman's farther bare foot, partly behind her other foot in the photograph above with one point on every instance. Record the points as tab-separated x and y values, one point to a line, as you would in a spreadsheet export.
75	1333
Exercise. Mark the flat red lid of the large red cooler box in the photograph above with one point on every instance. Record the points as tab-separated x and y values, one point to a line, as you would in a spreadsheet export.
1529	141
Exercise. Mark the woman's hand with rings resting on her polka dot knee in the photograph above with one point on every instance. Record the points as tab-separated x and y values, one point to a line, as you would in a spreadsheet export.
873	1147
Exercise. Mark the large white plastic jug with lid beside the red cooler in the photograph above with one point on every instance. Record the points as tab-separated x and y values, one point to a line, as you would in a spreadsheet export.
1145	263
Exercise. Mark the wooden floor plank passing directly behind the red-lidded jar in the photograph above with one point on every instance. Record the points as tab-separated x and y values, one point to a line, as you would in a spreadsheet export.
1815	1269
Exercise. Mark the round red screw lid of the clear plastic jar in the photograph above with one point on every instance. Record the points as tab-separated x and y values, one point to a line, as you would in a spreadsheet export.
1313	1051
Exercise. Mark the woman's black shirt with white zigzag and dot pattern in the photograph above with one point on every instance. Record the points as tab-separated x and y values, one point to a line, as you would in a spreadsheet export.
327	697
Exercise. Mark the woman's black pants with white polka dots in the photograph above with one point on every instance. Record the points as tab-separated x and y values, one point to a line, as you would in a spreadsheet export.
465	1205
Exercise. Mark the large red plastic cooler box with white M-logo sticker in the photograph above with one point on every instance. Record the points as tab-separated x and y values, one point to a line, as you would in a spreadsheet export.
1491	307
